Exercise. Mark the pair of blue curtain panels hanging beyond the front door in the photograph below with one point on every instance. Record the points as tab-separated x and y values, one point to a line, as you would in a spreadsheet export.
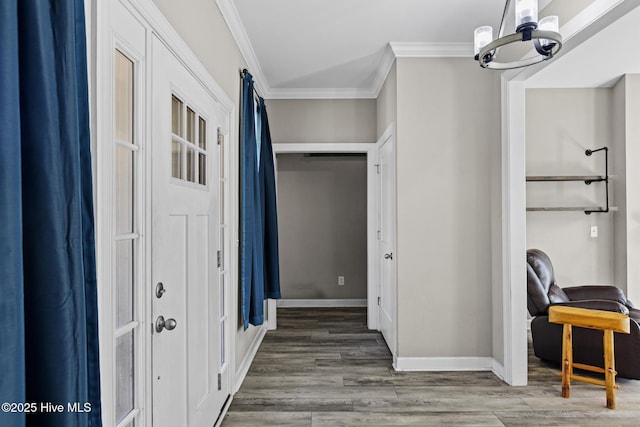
259	274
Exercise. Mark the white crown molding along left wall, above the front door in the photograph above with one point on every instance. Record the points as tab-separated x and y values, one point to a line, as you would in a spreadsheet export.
232	18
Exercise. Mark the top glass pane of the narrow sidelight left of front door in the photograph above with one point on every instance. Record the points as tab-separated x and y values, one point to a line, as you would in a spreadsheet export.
123	97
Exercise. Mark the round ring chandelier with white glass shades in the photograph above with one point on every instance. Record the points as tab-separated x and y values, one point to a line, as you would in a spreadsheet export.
546	39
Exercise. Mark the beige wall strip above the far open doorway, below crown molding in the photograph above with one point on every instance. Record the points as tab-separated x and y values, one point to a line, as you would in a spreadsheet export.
322	120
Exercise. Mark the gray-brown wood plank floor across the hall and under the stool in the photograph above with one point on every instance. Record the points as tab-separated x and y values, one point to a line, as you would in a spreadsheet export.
322	367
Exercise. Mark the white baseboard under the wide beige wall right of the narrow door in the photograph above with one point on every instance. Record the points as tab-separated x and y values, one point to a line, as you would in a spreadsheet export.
445	364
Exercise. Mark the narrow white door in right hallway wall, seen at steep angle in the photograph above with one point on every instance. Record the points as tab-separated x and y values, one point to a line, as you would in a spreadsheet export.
386	242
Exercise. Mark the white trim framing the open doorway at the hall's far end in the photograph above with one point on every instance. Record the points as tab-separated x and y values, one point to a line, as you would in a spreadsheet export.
370	150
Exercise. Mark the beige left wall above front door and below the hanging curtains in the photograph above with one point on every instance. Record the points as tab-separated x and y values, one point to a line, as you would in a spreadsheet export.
201	25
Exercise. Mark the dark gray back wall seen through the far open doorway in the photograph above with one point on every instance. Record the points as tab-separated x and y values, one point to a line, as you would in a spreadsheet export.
322	218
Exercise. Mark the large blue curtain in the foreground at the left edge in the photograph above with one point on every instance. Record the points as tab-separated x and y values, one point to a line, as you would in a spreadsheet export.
48	300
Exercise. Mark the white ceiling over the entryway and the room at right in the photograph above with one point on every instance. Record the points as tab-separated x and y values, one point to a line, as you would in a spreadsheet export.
344	48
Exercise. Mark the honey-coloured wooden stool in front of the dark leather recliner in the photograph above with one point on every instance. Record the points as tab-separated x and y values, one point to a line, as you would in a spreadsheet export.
606	321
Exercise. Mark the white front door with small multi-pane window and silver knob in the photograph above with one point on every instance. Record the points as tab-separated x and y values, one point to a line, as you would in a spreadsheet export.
186	356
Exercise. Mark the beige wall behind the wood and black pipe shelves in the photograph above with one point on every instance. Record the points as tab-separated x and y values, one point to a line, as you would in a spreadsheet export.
561	125
